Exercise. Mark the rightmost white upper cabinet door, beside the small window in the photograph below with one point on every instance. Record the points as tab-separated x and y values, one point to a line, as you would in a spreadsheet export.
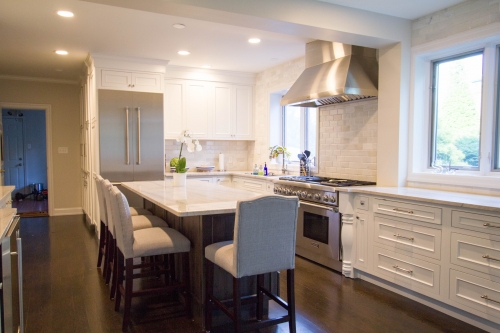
243	122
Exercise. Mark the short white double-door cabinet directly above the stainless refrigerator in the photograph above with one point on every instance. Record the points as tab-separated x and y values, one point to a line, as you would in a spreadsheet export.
133	81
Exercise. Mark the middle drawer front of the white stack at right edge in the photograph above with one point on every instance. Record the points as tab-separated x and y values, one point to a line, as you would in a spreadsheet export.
480	254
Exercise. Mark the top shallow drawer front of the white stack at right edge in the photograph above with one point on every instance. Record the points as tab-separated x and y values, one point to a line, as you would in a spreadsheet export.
476	222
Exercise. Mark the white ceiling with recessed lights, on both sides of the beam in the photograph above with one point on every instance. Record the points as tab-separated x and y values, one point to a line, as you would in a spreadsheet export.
30	32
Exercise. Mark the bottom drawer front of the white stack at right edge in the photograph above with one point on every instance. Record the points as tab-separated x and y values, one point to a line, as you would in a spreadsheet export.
474	292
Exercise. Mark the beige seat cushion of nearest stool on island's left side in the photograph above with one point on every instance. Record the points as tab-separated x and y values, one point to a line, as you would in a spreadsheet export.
156	241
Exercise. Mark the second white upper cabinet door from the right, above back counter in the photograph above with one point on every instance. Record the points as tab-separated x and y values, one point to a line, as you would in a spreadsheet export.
222	111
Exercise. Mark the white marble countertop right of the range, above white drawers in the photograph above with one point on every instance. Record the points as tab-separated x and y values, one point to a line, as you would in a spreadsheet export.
474	201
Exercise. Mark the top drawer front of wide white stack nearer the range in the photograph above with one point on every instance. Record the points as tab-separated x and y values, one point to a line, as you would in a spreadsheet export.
407	210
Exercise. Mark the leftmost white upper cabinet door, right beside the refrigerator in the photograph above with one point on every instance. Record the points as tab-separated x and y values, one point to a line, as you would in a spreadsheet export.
174	101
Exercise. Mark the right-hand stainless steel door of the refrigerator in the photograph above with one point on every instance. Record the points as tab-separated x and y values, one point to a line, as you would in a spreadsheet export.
148	136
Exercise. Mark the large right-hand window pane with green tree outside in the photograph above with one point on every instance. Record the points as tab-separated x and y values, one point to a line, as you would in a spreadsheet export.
456	111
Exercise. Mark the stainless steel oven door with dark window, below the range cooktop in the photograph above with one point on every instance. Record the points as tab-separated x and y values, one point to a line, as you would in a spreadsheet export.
318	234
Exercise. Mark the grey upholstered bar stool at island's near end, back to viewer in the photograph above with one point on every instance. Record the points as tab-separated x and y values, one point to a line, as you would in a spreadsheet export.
264	242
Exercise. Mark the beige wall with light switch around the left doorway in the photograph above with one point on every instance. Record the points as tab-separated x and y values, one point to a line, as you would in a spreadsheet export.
65	107
